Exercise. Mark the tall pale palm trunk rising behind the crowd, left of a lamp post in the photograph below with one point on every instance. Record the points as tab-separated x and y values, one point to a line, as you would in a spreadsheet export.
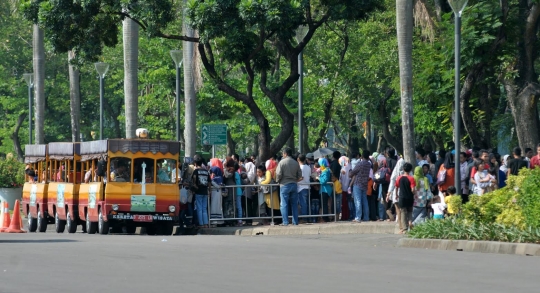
404	20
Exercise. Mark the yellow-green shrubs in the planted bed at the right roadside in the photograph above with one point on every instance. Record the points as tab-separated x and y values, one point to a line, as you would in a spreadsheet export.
510	214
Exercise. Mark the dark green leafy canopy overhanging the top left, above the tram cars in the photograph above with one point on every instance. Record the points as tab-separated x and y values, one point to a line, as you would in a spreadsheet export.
88	26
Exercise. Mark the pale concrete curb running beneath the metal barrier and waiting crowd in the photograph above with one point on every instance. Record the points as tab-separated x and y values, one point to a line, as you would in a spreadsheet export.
325	229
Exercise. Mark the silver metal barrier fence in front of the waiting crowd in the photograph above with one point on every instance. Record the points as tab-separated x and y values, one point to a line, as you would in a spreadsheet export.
225	203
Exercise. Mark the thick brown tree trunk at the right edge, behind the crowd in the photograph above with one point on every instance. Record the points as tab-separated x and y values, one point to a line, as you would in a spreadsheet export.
524	107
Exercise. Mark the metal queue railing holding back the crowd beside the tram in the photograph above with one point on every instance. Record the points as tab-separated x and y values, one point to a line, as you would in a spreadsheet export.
271	217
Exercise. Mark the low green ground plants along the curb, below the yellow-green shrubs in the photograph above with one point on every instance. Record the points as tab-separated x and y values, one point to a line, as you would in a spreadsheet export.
459	229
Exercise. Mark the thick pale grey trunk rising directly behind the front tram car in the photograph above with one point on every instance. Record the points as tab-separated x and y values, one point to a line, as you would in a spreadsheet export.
131	66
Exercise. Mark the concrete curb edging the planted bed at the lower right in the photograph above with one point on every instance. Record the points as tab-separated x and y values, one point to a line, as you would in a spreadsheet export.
472	246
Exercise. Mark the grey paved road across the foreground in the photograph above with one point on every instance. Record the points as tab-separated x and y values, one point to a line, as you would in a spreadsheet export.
342	263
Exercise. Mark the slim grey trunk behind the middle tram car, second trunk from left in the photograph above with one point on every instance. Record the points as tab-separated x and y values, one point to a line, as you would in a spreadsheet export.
74	98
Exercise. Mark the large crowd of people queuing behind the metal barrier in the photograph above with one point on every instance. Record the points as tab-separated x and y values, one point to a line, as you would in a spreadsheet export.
365	187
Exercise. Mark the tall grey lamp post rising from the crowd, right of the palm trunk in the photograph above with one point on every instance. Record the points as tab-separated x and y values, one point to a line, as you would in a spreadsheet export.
457	6
